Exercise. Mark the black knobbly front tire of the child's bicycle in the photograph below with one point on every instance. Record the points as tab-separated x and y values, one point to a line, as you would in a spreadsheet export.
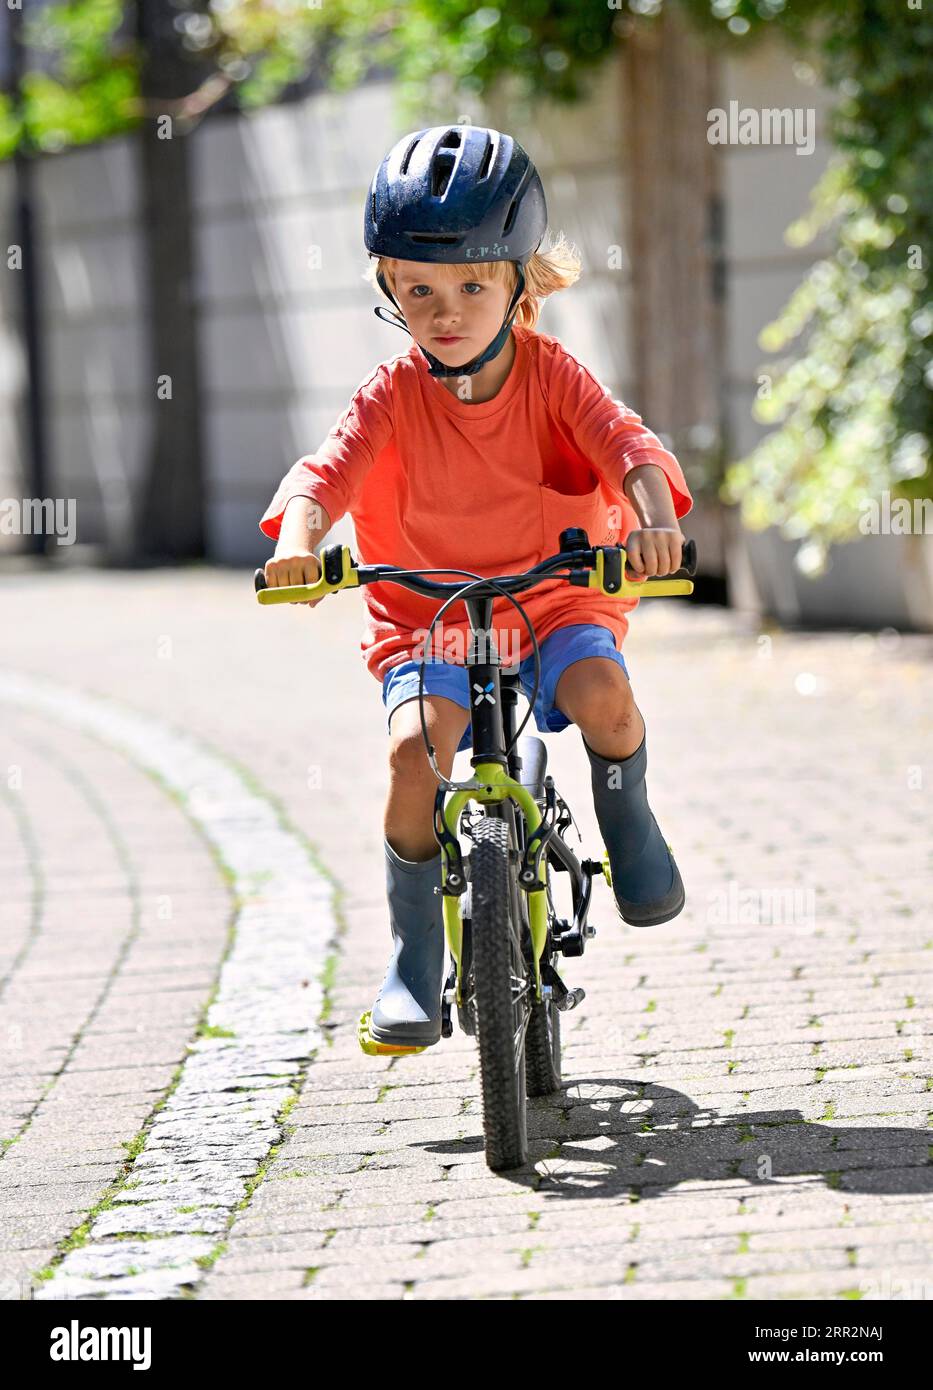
497	950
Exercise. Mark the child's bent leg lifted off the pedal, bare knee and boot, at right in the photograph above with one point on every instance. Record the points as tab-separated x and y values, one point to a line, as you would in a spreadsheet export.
594	693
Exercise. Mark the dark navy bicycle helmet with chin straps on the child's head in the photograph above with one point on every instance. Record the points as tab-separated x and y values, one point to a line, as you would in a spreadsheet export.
455	194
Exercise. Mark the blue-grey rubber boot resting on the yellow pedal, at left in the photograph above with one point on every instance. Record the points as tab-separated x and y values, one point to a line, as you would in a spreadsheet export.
408	1007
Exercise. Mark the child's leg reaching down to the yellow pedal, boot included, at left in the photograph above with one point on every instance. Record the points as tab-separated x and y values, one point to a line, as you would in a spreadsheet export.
408	1007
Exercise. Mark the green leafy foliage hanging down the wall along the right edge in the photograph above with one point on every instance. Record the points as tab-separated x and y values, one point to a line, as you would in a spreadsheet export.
854	407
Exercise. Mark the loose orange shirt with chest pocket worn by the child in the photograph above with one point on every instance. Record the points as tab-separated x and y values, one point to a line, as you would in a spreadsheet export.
432	482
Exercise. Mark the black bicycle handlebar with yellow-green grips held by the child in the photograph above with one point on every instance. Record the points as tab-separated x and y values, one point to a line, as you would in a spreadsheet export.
600	568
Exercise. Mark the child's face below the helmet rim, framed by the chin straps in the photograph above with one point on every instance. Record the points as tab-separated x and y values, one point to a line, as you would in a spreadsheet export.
453	319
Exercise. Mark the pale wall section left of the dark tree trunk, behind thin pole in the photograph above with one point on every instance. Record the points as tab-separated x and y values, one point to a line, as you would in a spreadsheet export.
91	290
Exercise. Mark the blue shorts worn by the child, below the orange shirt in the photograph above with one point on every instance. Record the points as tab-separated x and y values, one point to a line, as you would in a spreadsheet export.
558	651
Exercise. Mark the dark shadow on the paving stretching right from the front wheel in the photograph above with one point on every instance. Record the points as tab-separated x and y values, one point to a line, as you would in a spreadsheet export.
604	1135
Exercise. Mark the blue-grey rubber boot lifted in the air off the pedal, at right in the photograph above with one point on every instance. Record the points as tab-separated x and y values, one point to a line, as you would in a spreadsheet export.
646	881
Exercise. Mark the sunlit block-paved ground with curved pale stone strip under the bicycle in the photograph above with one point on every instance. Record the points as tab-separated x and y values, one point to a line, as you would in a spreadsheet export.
184	1109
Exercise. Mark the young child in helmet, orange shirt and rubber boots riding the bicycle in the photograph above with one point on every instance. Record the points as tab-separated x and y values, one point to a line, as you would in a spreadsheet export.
473	451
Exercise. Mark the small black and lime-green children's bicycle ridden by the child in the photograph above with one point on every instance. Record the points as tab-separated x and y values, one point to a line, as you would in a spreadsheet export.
503	928
